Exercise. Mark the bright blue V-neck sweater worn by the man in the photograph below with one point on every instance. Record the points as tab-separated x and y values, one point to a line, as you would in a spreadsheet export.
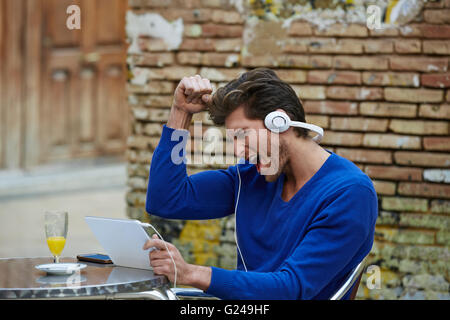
300	249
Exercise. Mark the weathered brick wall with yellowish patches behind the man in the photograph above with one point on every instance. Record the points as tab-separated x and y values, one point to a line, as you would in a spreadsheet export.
382	97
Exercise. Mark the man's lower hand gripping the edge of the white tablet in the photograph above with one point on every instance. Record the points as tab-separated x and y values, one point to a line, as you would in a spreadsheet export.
187	274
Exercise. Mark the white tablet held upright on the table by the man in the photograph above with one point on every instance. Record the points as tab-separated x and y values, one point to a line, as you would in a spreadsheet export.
122	239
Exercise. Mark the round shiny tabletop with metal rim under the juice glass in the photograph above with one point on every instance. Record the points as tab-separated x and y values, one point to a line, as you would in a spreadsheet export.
20	279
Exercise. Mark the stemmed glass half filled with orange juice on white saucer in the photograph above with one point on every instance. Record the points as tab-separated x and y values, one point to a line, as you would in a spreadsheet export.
56	224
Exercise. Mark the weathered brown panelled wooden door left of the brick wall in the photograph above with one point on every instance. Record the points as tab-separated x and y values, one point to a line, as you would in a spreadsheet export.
83	110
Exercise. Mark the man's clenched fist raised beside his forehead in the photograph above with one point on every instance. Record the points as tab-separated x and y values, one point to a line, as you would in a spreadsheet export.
192	95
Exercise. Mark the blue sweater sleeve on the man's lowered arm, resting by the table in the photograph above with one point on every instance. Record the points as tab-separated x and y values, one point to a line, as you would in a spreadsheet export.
338	238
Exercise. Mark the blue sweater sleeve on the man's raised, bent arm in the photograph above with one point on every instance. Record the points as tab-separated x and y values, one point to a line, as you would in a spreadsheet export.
172	194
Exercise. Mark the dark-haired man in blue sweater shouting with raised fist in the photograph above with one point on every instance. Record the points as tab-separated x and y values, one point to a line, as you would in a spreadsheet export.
301	228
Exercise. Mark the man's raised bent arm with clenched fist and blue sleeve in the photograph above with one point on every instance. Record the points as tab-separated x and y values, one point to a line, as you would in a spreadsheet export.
171	192
